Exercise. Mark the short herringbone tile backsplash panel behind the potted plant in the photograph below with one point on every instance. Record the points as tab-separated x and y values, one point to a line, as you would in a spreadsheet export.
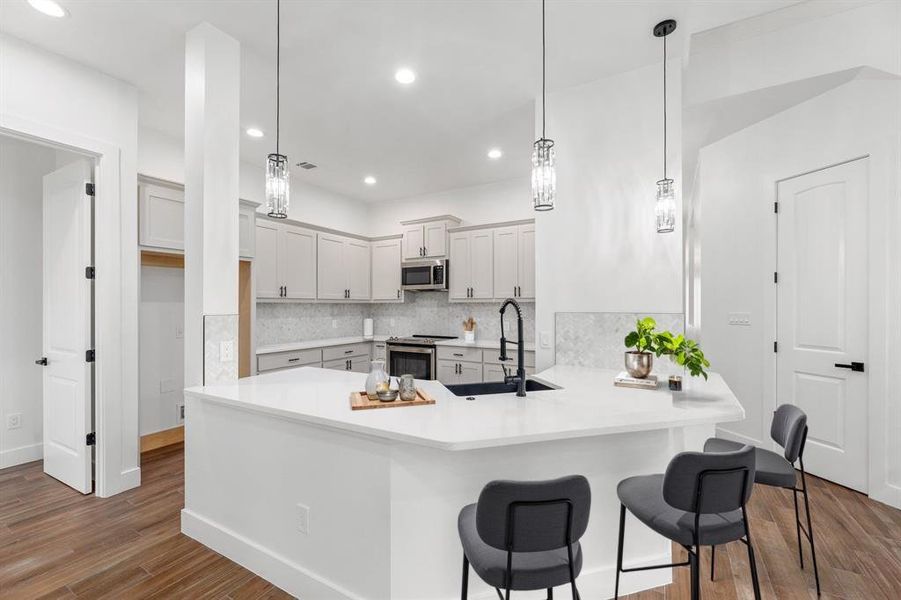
596	339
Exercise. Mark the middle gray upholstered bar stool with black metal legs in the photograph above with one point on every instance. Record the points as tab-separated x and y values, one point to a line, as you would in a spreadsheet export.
699	501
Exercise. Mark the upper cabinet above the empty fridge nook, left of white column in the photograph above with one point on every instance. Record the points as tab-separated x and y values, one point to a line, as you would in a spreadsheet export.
161	217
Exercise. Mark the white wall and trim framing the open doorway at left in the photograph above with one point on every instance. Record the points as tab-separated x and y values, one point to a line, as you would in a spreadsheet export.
49	97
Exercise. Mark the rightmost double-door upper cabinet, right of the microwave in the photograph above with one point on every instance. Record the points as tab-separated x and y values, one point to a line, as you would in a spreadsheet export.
514	261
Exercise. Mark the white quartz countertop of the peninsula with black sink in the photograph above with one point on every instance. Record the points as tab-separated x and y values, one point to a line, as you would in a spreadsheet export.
587	405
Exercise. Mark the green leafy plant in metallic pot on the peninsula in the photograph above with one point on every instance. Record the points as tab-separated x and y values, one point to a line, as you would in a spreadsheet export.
647	343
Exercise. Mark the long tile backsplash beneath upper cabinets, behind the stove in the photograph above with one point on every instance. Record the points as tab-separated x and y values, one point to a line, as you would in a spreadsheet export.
422	313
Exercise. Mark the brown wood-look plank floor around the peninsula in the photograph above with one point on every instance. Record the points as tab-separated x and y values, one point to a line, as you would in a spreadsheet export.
56	543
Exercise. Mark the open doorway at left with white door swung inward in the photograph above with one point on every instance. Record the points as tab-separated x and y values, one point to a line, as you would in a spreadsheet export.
47	371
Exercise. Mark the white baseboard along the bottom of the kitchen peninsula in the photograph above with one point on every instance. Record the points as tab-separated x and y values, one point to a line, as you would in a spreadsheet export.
302	583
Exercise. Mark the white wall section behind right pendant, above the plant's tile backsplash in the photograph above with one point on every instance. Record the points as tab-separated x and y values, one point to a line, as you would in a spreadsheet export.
598	250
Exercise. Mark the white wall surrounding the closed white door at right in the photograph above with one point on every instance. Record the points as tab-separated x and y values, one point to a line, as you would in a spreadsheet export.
738	185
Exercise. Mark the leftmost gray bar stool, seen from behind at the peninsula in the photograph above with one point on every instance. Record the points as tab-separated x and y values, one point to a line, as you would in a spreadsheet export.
524	535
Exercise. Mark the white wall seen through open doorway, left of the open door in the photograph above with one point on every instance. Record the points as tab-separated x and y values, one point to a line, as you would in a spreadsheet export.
22	167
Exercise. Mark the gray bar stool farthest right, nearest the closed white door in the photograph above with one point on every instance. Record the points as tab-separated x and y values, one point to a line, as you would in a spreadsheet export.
789	430
